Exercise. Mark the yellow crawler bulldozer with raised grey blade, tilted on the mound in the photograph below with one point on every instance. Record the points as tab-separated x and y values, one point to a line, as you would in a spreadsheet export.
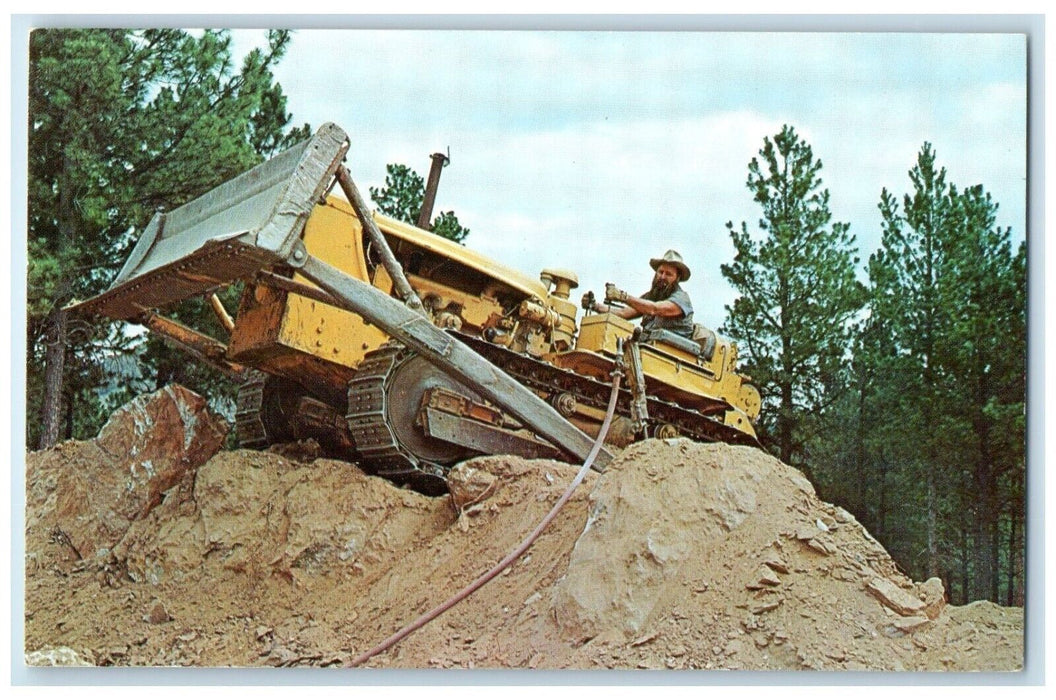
398	349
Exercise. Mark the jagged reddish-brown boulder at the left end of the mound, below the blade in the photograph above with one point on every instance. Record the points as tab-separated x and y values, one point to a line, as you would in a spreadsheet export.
149	446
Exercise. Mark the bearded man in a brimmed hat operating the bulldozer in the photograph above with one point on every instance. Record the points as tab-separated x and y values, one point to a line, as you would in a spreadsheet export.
665	307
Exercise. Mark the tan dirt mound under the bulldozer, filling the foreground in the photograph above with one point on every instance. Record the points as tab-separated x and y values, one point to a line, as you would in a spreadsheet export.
682	556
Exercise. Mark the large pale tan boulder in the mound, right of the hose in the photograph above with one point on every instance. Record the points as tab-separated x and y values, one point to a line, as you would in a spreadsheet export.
643	529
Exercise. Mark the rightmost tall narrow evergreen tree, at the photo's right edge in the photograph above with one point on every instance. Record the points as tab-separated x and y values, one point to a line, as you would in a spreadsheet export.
986	358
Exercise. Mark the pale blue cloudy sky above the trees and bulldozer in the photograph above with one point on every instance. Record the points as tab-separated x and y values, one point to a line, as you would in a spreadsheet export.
597	150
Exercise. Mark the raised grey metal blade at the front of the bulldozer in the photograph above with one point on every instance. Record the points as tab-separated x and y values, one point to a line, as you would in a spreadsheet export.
232	233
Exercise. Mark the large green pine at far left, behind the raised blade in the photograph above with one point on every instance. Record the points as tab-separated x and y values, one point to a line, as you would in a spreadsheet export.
124	123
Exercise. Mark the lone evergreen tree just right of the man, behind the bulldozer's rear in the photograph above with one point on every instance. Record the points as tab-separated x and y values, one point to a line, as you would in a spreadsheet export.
798	292
